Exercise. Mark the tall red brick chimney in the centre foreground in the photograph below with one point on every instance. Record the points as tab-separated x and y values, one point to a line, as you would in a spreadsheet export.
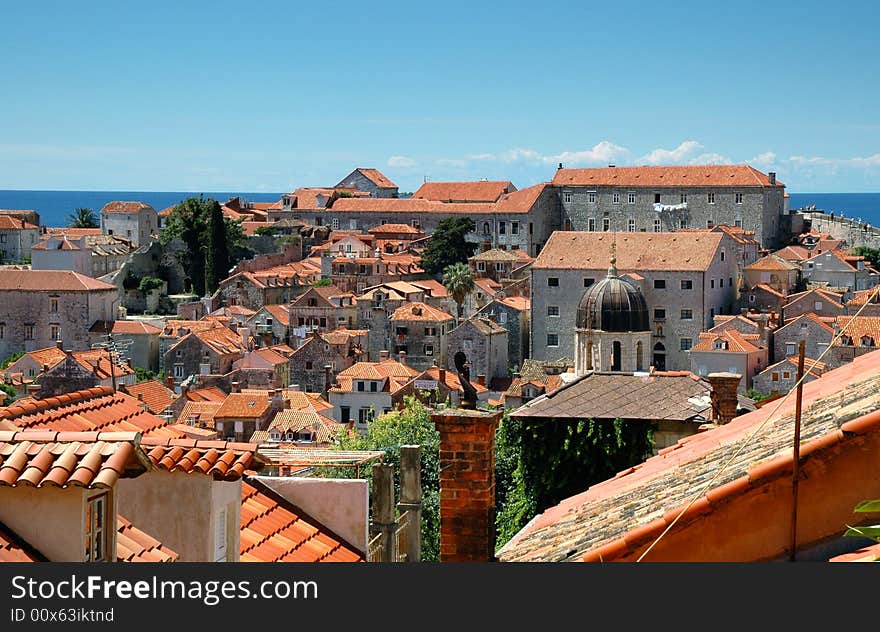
467	484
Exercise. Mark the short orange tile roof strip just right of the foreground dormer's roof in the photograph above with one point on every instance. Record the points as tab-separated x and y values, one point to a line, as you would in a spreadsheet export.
224	460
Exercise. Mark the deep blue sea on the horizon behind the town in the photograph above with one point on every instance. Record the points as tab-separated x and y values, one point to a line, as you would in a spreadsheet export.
55	206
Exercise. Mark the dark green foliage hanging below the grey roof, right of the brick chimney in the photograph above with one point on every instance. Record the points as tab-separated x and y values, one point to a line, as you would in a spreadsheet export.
540	463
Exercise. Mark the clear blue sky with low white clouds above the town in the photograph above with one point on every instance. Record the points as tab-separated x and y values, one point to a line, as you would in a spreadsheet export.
268	96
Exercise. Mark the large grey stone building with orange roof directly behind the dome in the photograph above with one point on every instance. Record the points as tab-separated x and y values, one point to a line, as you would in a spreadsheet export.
685	278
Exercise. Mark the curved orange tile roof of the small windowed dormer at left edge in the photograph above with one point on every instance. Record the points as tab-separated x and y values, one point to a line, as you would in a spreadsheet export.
62	459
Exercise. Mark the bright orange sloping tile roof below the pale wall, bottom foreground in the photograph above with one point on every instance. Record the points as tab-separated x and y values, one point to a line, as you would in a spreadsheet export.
275	530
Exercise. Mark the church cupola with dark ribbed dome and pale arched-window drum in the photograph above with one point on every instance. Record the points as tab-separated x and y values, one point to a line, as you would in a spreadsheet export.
612	331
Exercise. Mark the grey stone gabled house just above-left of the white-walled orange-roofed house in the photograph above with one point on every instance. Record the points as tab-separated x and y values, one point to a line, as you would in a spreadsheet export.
316	362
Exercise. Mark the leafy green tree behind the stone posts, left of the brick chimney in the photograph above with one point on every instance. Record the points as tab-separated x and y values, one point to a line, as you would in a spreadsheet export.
411	425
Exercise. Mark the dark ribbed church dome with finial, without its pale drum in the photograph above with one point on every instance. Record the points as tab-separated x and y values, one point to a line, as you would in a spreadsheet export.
613	304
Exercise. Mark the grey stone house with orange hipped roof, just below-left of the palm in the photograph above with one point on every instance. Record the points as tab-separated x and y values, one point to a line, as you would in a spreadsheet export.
420	331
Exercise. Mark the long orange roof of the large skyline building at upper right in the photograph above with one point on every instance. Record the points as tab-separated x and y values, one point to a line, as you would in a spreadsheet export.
677	176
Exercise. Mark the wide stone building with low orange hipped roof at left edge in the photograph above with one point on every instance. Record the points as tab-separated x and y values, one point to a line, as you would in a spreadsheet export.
40	307
